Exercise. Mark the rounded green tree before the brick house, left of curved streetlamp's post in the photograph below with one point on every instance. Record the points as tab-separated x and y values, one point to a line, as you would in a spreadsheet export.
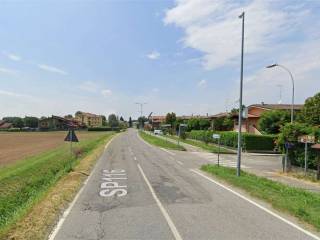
271	121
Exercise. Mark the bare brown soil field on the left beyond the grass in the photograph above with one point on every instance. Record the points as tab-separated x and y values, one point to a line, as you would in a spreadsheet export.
16	146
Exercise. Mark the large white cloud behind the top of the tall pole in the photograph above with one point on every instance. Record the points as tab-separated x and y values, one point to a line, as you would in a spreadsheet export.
213	27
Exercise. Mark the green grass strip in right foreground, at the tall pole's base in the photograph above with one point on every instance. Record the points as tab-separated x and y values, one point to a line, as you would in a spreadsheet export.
300	203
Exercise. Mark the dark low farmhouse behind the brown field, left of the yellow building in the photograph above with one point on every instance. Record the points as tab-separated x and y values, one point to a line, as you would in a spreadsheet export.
58	123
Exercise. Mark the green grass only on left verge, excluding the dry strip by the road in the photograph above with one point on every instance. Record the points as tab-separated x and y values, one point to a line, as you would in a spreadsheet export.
24	183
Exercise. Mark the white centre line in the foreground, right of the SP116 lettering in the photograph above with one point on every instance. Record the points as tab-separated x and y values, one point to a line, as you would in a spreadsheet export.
164	212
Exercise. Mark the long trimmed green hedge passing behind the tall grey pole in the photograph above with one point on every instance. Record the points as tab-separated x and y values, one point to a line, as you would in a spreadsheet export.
251	142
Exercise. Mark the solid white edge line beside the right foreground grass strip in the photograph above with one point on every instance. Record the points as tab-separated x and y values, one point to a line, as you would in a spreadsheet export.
257	205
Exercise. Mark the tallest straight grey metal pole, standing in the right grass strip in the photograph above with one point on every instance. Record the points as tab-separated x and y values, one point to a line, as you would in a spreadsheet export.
240	100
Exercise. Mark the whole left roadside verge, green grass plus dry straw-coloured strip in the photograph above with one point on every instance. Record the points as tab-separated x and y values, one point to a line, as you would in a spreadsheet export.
33	194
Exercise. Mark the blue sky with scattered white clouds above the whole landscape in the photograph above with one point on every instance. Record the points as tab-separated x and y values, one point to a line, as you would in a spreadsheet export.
183	56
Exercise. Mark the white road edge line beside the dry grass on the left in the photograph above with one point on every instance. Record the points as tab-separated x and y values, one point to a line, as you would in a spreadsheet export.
68	210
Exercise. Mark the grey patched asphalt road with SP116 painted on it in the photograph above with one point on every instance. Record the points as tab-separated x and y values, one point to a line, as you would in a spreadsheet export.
138	191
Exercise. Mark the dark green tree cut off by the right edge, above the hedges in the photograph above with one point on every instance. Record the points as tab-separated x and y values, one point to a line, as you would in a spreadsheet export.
310	113
